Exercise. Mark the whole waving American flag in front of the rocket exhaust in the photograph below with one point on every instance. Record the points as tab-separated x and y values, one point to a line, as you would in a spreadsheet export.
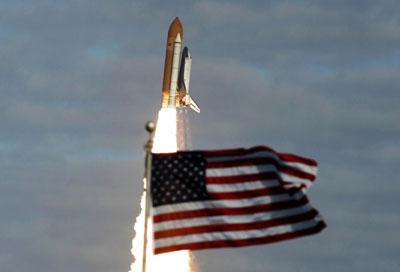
231	198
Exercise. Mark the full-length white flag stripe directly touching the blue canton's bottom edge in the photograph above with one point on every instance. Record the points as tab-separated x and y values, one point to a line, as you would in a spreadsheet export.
237	203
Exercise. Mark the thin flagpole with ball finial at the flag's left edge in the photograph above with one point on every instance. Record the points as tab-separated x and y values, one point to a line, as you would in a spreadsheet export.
150	127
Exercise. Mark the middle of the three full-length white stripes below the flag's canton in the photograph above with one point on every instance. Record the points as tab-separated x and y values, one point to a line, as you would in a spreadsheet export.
231	219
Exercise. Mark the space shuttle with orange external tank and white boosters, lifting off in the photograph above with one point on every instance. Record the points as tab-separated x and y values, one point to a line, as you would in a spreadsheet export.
176	79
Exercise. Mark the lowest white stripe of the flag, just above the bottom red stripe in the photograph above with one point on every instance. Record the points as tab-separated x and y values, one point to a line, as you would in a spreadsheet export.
235	235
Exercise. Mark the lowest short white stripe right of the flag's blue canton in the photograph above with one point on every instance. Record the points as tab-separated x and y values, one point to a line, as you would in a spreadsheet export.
237	187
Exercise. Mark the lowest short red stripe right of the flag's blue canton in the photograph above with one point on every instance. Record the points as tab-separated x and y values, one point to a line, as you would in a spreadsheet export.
247	194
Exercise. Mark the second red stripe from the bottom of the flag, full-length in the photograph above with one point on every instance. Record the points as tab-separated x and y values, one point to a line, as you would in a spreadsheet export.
236	226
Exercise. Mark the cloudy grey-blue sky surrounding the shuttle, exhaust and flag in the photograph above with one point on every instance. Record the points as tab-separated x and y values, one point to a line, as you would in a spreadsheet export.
79	79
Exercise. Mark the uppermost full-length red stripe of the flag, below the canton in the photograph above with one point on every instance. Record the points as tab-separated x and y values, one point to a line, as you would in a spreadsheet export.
229	211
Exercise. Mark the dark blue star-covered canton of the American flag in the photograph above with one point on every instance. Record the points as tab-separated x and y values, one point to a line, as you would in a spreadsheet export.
177	178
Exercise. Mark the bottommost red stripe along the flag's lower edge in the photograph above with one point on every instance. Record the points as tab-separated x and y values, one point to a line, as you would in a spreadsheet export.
243	242
